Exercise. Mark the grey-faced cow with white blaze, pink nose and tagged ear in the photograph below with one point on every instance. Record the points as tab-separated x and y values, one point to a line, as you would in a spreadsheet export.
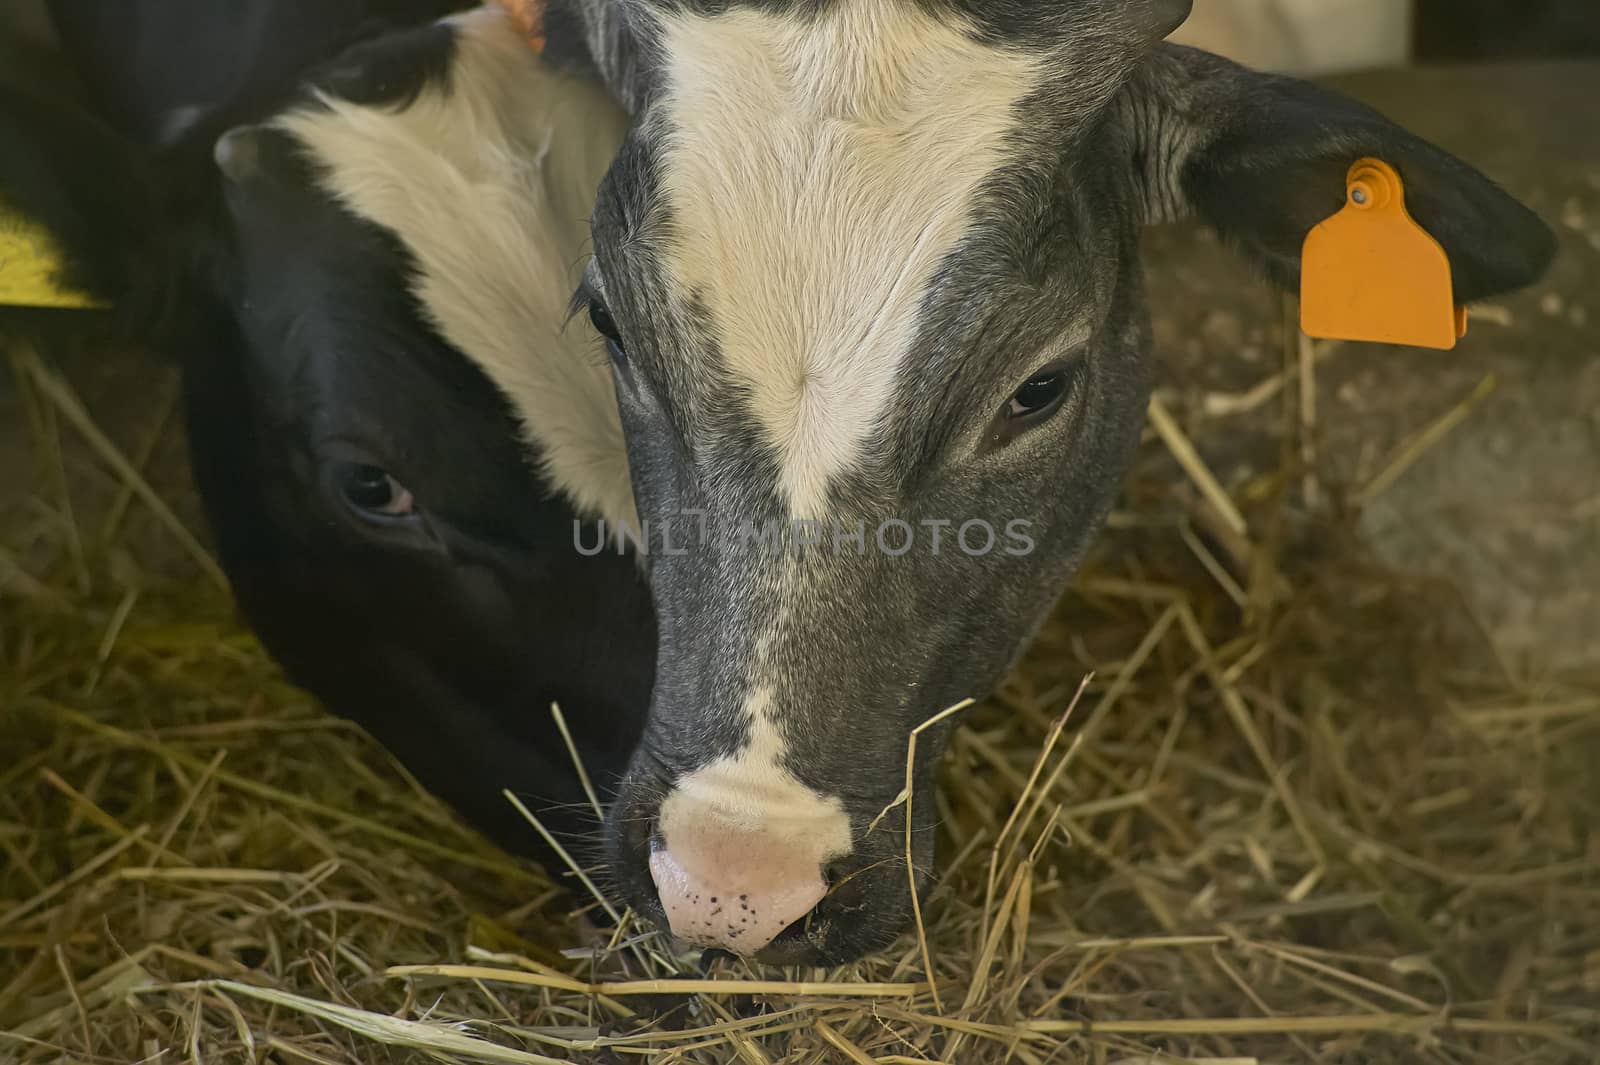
868	273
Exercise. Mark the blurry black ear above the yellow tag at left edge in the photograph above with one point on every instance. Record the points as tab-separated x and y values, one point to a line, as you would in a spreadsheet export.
89	191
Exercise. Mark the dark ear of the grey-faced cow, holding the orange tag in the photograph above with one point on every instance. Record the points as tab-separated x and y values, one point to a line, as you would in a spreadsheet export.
1263	159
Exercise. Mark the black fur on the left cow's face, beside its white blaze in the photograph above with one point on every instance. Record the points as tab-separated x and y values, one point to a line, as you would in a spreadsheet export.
449	642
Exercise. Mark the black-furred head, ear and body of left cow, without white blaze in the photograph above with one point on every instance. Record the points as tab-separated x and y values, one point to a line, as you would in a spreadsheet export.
314	380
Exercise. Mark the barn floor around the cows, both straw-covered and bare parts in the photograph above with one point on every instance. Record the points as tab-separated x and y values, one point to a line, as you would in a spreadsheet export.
1338	901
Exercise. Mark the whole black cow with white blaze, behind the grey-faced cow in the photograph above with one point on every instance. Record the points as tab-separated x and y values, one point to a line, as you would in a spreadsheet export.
394	525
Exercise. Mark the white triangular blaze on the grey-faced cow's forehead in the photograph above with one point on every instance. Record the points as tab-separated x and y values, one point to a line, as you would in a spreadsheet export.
818	174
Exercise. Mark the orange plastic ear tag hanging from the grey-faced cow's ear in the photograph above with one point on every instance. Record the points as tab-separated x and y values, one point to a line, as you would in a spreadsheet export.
1372	274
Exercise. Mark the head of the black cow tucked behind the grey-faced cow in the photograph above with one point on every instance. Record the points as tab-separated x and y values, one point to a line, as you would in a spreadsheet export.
402	244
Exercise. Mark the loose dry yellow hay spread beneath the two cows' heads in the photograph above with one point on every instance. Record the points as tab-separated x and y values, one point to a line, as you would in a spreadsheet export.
1300	813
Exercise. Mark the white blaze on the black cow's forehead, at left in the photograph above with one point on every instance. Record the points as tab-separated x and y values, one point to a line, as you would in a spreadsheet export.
489	181
